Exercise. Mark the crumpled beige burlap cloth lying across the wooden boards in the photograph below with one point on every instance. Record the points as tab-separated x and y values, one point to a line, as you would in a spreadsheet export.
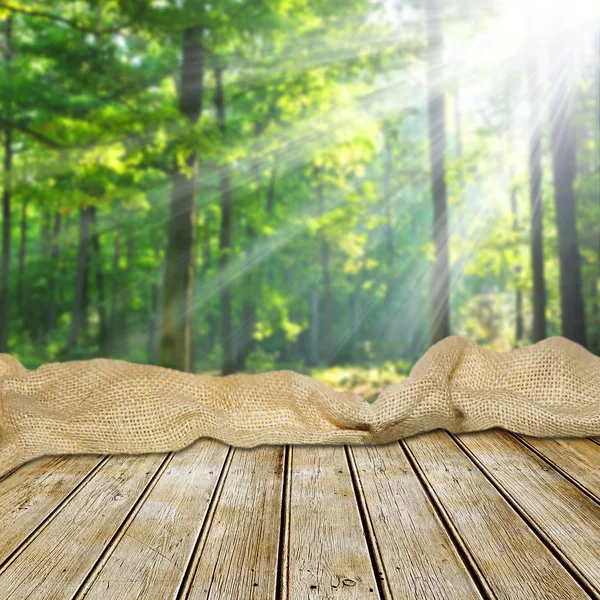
111	406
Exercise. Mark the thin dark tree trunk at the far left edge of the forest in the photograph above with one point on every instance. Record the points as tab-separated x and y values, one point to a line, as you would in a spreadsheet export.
6	211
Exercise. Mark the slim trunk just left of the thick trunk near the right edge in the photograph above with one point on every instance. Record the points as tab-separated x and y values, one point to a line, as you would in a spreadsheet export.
535	196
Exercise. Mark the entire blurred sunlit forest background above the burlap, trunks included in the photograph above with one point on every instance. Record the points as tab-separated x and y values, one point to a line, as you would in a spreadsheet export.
301	184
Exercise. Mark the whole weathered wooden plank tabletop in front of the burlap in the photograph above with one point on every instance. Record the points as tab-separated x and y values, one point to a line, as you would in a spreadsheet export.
487	515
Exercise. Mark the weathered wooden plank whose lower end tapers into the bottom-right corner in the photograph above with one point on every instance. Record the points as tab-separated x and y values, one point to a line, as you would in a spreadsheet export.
566	518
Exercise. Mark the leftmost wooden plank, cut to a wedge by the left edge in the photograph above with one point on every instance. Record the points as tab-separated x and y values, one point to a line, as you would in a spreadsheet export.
34	493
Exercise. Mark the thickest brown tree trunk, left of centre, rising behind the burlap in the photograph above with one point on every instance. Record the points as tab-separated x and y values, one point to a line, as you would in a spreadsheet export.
179	279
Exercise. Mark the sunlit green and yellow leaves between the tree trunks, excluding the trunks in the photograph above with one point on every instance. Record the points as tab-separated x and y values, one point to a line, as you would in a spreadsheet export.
318	100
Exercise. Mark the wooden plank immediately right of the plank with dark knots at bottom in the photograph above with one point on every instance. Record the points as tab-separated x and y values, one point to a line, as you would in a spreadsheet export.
418	555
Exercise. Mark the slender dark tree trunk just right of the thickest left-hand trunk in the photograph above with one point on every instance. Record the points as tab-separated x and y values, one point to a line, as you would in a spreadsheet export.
225	239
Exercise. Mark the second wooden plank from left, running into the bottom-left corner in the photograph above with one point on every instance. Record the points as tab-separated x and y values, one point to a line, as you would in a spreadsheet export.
56	562
